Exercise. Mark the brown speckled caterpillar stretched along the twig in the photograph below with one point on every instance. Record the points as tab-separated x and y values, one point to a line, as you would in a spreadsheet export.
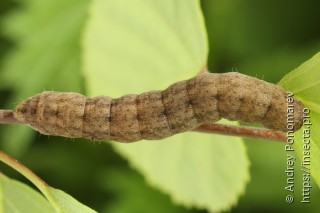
154	115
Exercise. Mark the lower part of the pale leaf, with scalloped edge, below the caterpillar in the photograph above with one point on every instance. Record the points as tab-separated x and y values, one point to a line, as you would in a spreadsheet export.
195	169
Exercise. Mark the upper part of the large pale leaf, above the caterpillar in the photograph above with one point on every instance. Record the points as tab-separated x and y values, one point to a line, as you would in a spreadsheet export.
138	51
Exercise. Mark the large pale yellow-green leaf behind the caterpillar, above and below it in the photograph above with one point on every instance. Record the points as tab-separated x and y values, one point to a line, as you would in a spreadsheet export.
129	51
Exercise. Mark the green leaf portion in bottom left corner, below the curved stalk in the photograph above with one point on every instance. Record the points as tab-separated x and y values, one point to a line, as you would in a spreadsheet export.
18	197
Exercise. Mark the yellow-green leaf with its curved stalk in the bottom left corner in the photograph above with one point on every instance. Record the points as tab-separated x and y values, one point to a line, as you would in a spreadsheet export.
16	196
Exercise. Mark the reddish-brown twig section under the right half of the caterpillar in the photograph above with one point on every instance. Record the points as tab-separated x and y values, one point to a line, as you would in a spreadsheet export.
243	131
